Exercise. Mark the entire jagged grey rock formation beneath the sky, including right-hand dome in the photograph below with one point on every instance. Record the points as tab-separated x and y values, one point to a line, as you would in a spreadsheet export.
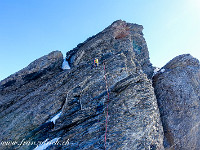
111	106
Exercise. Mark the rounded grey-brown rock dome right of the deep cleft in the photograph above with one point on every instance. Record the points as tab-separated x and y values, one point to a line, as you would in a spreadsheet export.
177	88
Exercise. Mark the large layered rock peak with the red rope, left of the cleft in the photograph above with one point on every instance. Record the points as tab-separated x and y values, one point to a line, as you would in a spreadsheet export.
32	96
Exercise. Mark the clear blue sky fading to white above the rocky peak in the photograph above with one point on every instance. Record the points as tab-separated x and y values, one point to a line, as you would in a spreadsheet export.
30	29
